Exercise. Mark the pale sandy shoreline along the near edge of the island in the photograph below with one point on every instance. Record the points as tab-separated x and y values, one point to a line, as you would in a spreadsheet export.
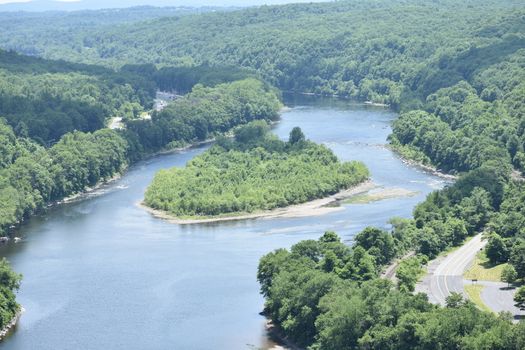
315	207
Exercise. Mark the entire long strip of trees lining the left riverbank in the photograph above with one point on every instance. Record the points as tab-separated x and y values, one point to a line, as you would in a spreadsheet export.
32	176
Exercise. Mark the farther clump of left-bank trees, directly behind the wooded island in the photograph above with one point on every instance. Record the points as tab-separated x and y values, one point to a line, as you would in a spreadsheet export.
203	114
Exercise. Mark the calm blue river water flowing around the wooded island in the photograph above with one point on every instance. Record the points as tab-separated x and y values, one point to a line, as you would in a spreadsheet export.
101	273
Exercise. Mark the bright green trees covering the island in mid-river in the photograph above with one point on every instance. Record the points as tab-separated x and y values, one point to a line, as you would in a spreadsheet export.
254	171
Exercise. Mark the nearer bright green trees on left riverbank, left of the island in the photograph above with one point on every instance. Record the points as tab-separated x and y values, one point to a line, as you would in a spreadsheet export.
33	176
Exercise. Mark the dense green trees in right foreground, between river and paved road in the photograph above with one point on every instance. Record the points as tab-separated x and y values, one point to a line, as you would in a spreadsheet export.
326	295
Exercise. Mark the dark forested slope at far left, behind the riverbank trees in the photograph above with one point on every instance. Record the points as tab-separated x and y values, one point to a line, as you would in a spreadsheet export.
43	99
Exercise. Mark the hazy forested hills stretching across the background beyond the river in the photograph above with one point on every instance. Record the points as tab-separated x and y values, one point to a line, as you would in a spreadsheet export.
371	50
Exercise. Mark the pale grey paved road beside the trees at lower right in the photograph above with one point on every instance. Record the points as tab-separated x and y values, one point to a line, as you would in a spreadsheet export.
445	275
